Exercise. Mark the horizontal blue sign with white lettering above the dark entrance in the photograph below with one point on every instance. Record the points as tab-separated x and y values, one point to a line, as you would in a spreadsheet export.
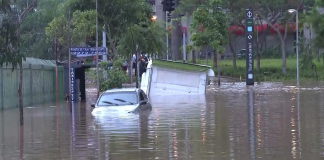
88	51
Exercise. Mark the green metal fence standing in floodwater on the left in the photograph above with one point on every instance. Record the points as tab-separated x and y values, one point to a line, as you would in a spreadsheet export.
38	83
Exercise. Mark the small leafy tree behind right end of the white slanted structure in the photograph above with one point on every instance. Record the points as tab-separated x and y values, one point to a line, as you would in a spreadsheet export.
215	26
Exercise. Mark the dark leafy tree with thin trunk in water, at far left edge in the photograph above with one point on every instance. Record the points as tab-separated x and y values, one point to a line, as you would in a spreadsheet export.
10	53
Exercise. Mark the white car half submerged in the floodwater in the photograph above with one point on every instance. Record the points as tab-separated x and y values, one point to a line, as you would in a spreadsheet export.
128	100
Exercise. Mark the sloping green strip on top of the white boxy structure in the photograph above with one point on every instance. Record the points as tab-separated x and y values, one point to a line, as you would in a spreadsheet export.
179	66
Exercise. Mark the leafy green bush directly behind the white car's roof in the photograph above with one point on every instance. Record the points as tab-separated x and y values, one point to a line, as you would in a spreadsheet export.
115	76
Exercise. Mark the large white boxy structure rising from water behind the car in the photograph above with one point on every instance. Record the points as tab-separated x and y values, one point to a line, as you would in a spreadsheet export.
167	81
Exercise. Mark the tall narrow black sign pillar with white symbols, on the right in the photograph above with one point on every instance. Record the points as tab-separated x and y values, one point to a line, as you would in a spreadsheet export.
249	47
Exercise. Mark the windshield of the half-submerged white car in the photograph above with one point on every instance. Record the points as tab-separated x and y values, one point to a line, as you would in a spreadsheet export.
118	98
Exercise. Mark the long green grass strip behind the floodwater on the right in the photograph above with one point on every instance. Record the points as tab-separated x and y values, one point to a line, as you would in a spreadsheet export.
270	70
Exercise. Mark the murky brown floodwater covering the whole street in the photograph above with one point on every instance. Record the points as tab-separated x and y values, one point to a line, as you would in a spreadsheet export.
270	121
